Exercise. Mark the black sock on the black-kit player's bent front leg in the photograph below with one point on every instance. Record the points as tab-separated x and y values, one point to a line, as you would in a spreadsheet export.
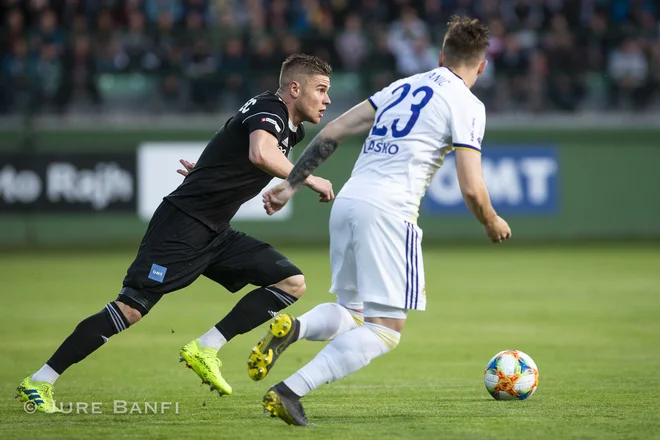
254	309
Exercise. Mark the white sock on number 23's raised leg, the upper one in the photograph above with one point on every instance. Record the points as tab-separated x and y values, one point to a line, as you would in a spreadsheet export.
327	321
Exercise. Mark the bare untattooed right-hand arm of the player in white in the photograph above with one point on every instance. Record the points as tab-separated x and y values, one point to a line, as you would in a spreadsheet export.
475	194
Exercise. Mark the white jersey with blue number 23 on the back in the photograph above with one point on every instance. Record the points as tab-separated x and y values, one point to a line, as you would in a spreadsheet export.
419	120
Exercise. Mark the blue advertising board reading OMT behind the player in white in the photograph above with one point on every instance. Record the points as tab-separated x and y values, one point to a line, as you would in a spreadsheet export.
519	180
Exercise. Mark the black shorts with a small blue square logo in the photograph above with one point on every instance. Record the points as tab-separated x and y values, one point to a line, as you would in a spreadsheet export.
177	249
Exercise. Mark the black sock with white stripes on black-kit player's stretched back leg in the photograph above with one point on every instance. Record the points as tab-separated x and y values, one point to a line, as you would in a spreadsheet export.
88	336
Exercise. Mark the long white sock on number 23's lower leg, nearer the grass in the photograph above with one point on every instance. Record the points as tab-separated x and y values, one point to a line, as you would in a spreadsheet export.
346	354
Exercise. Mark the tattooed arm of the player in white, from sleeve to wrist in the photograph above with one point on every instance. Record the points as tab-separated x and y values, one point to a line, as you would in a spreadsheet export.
355	121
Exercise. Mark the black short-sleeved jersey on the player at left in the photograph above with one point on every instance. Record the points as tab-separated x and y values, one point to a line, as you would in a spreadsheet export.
224	178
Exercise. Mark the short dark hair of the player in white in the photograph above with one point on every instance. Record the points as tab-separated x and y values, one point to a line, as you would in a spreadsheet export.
465	43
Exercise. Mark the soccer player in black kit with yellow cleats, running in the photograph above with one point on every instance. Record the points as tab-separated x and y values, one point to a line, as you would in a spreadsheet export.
189	234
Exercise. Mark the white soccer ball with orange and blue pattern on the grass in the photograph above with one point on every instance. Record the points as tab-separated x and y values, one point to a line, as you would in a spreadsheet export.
511	375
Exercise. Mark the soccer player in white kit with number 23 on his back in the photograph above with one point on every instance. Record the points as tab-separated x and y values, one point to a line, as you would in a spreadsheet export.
375	243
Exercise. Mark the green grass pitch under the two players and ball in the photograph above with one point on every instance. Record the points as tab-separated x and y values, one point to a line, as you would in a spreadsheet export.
589	318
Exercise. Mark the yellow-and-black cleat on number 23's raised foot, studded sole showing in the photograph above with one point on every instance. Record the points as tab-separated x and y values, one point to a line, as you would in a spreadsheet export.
284	331
